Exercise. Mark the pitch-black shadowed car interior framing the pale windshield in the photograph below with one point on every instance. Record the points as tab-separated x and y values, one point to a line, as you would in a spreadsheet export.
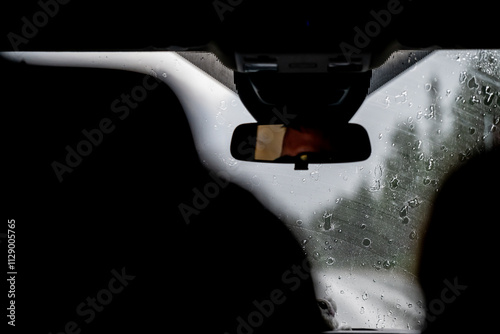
115	217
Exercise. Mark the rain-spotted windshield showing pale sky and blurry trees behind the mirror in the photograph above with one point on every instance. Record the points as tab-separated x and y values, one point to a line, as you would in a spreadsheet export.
361	224
